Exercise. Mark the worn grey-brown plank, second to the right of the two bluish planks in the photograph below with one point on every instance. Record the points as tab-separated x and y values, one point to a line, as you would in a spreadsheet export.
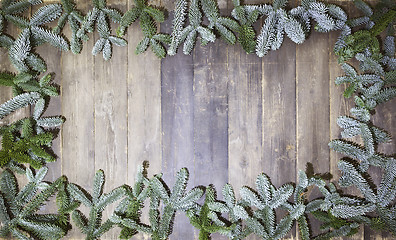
279	117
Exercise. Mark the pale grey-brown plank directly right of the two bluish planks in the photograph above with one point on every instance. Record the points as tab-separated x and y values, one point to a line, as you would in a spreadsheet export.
245	118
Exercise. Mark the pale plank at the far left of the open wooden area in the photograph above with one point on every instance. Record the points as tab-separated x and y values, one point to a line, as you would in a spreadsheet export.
77	105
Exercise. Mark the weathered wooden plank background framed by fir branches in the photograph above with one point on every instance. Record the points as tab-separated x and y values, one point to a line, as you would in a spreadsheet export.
225	115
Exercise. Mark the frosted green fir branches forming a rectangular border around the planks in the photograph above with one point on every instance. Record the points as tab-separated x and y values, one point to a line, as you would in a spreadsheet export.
26	143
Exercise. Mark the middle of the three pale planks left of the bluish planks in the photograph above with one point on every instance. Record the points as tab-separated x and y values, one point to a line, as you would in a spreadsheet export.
110	114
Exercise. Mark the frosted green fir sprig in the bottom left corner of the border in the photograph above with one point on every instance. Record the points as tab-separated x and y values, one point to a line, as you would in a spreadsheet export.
18	209
